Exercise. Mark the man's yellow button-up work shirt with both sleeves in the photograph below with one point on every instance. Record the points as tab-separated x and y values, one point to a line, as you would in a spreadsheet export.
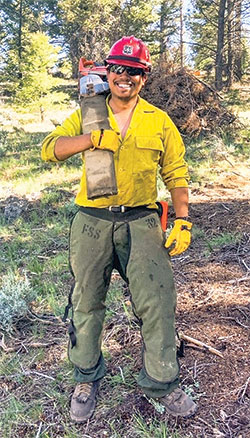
151	140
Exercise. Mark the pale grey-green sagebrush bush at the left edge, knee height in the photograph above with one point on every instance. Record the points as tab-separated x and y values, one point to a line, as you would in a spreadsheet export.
16	294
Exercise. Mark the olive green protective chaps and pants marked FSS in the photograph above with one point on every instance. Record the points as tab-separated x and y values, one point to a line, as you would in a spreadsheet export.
133	244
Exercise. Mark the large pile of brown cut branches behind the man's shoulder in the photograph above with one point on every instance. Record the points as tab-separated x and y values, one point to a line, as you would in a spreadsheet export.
194	106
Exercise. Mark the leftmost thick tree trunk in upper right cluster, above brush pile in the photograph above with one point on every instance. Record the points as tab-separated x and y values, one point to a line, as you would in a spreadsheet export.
220	46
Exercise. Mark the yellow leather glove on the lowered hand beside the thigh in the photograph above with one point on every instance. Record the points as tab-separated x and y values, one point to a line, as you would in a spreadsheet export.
180	235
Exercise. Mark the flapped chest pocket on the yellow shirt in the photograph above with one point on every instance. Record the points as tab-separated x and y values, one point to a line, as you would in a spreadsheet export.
147	154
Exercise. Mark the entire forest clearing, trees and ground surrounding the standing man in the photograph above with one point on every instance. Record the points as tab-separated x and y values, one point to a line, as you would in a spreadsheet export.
201	69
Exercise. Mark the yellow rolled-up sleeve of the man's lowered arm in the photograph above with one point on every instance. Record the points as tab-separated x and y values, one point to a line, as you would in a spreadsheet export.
174	169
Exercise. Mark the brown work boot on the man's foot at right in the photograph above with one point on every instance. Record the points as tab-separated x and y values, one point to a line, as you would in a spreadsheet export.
178	403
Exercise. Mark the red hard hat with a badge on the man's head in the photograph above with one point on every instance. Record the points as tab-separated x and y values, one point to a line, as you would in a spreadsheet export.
130	51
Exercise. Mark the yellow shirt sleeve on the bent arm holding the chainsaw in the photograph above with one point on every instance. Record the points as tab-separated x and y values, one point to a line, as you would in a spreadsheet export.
71	127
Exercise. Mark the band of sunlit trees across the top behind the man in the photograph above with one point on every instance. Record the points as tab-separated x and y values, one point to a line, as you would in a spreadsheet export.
43	37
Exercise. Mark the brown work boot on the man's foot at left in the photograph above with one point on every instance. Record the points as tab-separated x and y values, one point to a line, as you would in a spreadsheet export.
83	401
